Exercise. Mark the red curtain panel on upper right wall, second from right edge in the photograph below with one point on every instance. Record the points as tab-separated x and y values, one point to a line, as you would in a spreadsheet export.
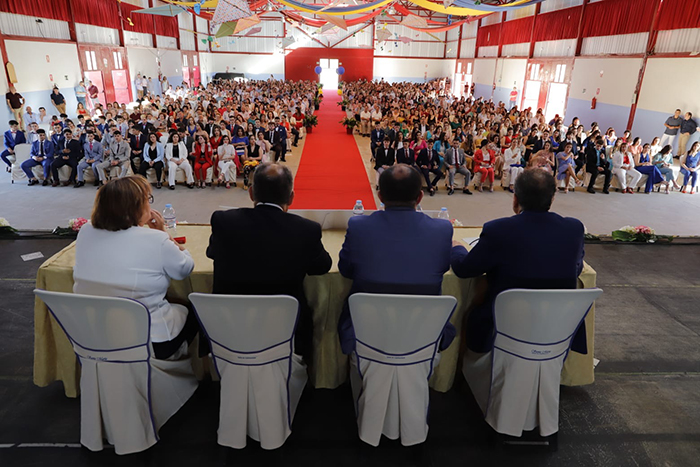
614	17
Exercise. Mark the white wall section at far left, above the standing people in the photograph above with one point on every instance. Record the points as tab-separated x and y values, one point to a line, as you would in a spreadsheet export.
33	75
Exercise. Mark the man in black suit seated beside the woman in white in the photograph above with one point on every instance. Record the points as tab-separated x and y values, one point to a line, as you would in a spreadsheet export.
278	249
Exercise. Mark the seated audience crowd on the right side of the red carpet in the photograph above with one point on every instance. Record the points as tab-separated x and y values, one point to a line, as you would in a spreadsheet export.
442	136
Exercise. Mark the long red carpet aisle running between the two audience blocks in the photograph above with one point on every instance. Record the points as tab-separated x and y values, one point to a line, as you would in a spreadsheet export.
331	173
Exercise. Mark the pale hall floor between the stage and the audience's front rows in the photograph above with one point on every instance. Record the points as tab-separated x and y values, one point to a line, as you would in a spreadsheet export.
675	214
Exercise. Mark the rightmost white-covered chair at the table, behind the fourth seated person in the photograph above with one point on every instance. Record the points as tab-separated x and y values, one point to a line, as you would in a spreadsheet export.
517	383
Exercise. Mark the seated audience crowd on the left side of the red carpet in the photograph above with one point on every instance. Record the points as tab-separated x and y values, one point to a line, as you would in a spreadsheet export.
213	134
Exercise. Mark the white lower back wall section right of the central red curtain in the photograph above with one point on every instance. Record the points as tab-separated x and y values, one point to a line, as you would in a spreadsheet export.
412	69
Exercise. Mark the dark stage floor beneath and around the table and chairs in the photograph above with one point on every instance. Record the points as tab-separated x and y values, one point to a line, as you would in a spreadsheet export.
643	410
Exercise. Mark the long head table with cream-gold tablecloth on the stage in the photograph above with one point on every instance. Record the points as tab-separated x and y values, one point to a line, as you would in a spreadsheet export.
54	359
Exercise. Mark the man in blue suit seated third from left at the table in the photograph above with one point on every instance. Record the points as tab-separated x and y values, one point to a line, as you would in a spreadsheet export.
397	250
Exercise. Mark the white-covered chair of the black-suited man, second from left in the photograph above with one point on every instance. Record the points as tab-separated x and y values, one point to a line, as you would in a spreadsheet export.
252	341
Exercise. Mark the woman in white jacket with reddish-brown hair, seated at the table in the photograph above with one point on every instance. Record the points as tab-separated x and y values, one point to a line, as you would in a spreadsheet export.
126	234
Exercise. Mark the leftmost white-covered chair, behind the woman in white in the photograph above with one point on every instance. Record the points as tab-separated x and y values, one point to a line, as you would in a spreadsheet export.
126	395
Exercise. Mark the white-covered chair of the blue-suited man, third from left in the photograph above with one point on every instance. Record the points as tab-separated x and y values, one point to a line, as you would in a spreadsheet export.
396	351
